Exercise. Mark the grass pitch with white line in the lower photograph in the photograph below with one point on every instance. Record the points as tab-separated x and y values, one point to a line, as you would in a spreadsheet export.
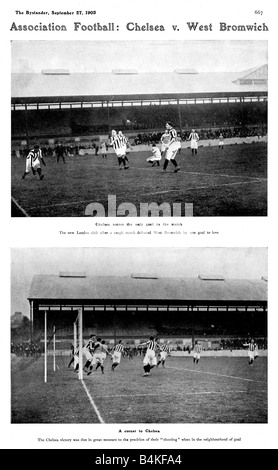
217	390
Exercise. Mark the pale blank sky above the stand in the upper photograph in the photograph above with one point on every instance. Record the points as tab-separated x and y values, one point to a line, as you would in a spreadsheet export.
145	56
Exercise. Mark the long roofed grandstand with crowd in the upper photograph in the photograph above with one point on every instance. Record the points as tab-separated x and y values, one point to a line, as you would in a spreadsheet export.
59	104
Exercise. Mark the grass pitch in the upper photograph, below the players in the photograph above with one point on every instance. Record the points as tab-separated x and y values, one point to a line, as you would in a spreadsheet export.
228	182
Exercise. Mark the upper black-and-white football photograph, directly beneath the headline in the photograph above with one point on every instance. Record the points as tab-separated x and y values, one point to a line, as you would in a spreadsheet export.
139	128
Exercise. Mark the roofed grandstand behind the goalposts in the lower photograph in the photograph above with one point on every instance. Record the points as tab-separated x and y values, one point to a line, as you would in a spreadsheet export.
210	308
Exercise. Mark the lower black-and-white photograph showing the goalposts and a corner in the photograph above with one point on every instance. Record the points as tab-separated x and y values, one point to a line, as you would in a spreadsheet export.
139	335
